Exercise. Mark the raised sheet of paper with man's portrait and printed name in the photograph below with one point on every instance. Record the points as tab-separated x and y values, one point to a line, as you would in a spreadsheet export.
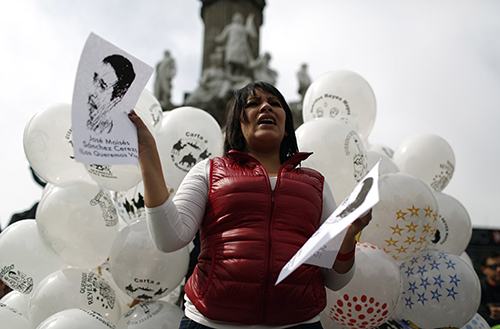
108	84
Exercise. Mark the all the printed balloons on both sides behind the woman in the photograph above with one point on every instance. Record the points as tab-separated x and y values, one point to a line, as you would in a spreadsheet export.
87	258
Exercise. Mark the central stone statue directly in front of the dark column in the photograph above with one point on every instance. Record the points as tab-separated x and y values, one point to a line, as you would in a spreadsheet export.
237	50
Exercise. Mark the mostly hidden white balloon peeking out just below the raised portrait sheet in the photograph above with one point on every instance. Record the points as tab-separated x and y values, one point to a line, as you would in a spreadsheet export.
115	177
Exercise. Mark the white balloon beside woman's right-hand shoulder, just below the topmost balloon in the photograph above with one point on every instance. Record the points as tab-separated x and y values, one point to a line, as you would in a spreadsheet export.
338	153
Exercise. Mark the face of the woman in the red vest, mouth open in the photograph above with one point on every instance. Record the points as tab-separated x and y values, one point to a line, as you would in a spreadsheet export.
265	128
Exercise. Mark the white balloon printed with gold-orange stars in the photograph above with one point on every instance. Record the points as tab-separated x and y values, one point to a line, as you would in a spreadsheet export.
404	220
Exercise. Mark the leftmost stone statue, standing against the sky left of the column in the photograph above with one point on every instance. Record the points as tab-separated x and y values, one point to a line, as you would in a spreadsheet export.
165	71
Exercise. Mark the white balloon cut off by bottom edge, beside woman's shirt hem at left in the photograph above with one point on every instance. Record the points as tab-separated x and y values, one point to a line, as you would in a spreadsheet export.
153	314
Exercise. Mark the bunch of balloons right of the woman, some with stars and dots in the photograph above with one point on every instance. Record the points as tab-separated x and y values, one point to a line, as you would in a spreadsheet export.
411	266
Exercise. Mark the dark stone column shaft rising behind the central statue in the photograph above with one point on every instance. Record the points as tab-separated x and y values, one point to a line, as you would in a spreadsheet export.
216	14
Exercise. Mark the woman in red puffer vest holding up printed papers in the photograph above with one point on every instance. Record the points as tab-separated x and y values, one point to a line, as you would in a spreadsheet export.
254	208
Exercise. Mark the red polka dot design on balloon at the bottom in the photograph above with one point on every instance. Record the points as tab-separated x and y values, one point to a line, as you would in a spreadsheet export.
359	312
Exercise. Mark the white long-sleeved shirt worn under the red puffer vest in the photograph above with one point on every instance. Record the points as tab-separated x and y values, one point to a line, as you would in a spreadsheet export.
174	224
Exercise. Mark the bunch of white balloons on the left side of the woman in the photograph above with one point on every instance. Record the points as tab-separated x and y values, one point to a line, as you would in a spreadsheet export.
86	260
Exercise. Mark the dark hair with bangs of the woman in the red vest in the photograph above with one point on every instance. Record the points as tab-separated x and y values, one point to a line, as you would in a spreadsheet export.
234	139
